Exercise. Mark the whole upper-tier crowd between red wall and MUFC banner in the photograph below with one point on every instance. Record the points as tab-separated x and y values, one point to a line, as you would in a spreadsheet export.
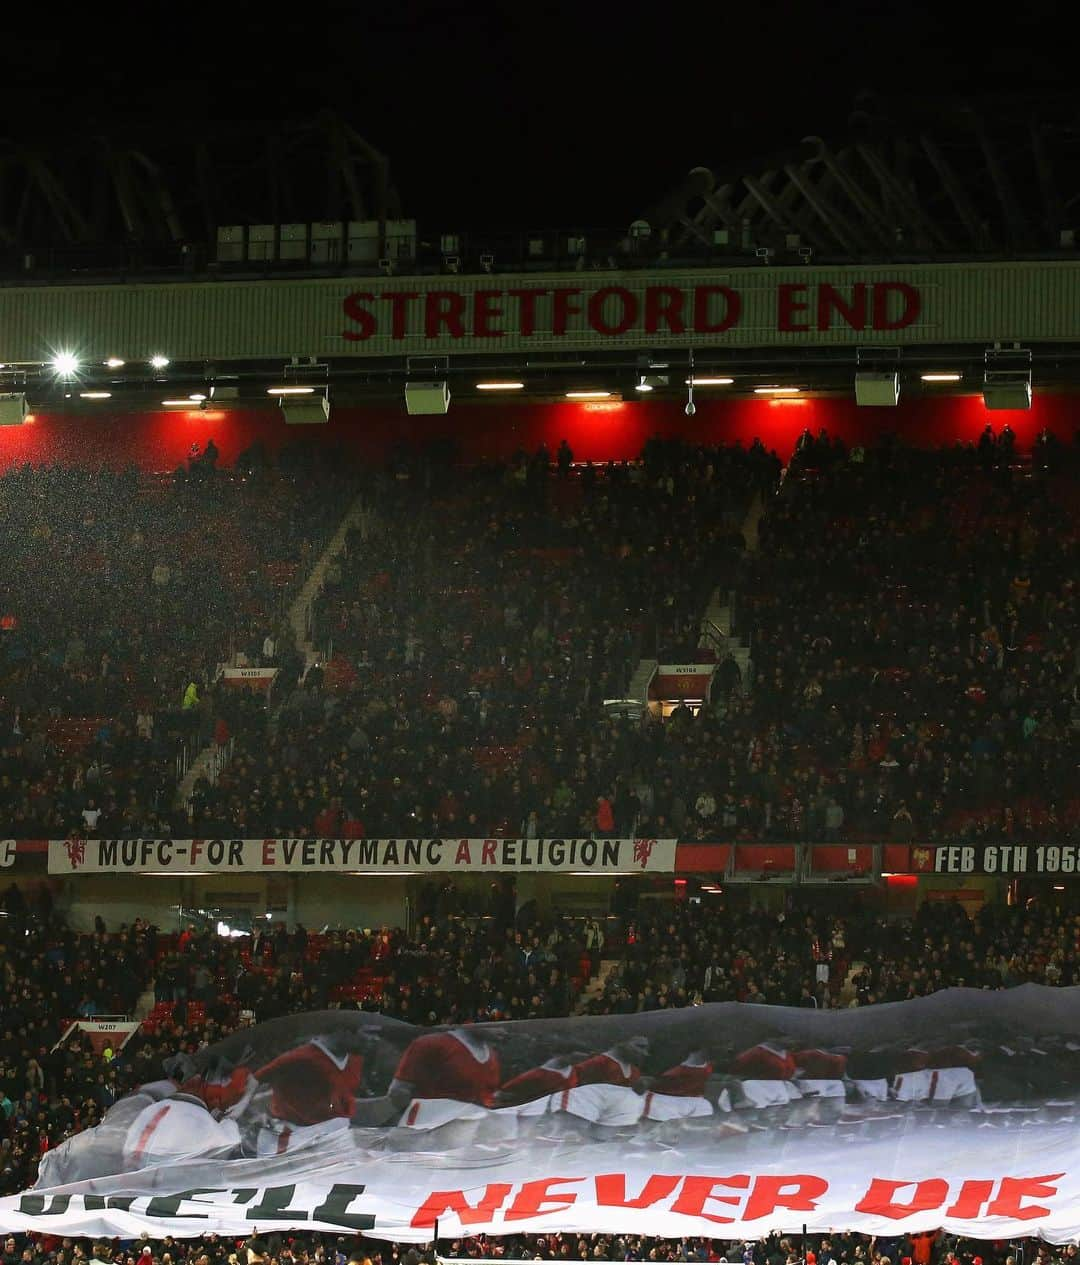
911	618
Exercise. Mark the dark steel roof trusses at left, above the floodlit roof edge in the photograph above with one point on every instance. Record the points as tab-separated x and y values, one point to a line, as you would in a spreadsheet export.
165	190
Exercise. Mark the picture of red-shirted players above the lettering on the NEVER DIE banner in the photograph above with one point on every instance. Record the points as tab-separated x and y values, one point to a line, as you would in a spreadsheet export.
353	1082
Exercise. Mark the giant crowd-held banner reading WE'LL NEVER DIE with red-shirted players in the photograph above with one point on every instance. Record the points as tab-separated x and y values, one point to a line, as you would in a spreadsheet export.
959	1110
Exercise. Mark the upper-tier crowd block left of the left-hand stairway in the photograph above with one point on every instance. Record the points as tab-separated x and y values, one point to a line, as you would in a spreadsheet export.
118	614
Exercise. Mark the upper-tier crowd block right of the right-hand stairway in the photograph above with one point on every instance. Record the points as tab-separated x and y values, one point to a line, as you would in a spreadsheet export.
914	619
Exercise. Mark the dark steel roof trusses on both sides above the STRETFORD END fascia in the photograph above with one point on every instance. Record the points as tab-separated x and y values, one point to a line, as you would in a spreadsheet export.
940	179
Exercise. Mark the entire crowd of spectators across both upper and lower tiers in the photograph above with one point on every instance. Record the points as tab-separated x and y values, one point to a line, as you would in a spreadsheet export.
912	622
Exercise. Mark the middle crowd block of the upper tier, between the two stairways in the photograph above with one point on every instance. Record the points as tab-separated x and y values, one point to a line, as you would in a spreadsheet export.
472	633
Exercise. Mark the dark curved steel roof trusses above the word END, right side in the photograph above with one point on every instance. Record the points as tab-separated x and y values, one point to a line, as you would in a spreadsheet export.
940	179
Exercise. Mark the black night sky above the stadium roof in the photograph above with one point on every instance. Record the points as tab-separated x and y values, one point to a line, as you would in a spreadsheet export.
529	114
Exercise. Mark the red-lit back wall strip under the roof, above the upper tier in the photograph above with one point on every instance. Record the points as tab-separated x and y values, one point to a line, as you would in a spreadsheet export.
596	432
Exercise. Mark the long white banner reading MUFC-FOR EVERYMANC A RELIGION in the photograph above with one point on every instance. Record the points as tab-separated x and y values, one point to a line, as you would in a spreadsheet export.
361	856
